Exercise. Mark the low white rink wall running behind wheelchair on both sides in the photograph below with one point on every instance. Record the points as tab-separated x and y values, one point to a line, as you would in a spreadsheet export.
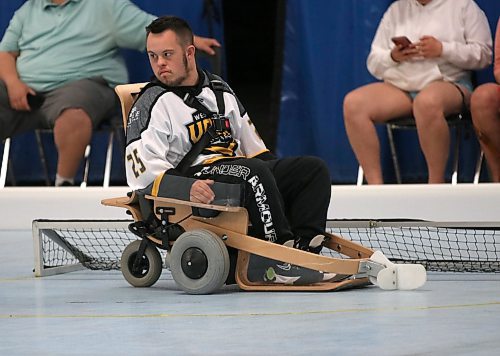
463	202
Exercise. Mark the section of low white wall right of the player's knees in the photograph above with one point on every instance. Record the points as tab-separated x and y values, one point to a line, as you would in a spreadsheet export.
436	202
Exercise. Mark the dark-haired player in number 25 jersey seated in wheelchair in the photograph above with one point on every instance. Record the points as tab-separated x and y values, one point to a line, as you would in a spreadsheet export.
287	199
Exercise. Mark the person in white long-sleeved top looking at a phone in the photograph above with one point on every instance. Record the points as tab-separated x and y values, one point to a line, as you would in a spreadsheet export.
428	77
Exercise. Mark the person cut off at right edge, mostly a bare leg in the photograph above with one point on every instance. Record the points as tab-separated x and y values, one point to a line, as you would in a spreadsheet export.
485	109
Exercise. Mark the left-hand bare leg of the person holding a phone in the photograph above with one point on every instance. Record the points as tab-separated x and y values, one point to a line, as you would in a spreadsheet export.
365	106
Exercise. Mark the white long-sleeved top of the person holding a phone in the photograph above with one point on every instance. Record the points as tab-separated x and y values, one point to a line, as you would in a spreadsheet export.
460	25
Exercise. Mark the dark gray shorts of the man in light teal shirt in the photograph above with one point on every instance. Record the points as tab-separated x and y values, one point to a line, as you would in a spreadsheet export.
92	95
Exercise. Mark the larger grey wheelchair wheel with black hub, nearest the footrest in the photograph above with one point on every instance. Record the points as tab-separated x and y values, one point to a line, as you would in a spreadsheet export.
199	262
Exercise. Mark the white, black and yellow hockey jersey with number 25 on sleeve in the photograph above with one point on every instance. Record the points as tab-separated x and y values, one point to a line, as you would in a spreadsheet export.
162	128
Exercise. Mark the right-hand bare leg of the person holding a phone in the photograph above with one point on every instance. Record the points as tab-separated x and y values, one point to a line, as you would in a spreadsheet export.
430	107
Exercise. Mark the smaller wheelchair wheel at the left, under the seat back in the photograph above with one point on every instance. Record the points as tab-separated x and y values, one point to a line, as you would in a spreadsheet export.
149	269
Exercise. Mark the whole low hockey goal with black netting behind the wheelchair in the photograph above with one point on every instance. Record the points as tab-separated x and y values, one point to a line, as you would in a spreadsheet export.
65	246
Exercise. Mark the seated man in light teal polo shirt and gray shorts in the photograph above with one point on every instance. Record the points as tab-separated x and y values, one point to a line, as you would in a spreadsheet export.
59	60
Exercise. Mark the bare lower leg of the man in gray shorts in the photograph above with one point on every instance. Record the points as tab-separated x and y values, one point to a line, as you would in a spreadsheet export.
72	133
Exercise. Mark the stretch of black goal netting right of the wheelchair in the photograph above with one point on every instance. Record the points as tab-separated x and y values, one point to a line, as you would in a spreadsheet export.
447	249
